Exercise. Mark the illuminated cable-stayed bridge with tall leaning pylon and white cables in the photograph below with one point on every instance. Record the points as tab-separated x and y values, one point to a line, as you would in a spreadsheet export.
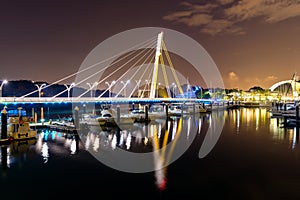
136	79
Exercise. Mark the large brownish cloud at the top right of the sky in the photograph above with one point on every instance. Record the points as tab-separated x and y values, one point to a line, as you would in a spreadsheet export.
226	16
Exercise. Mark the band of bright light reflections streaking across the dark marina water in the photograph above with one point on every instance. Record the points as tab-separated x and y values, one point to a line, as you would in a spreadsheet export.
141	138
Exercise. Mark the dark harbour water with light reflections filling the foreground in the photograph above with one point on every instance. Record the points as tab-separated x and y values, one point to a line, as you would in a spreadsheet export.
254	158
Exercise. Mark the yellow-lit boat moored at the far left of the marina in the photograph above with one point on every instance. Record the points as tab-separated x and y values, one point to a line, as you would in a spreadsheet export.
19	128
